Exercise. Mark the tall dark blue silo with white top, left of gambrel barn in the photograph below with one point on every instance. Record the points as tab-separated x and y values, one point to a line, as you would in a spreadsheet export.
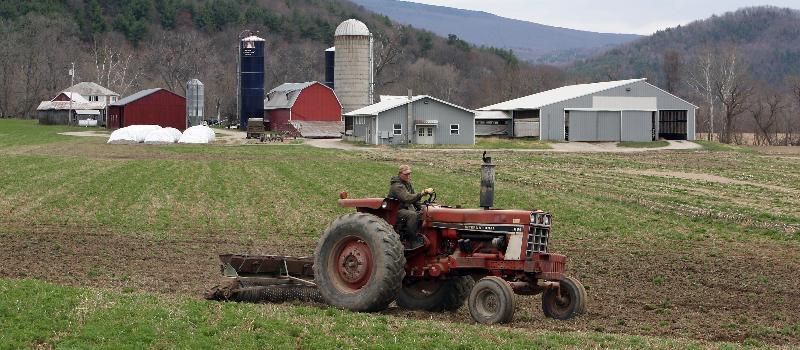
251	79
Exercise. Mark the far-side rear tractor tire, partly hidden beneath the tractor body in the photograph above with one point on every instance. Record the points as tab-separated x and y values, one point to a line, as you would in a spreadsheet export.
435	295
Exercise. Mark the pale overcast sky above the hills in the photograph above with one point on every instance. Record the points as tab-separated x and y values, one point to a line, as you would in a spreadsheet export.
609	16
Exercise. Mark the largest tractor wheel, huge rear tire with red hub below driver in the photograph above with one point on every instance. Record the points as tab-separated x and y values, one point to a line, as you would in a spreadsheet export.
359	263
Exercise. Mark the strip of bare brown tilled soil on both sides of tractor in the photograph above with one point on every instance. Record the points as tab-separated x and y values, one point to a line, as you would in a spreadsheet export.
720	291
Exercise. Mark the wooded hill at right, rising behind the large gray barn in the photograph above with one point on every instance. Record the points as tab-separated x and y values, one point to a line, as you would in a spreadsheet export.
767	39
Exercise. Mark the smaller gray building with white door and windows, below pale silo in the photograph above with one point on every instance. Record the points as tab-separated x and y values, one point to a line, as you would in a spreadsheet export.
425	119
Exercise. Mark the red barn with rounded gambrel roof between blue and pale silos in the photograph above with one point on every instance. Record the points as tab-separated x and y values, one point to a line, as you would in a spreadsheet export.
311	108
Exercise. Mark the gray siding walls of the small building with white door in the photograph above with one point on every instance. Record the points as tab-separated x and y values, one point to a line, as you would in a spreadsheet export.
433	110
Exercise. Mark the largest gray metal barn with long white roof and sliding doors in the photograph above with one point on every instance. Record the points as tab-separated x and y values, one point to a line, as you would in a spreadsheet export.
624	110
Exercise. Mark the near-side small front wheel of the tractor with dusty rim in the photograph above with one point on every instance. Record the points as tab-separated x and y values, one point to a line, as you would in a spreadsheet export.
492	301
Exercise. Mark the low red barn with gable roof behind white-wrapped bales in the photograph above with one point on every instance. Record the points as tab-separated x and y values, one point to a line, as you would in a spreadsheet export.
149	107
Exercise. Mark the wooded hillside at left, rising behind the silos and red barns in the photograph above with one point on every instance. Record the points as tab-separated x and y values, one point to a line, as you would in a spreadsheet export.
130	45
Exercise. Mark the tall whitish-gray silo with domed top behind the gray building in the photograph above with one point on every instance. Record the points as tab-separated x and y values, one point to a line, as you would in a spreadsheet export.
354	67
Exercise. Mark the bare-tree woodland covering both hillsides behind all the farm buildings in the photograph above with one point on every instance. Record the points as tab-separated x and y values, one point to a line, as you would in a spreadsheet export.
131	45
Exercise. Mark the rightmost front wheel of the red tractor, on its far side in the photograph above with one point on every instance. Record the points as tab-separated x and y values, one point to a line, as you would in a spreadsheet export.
564	302
